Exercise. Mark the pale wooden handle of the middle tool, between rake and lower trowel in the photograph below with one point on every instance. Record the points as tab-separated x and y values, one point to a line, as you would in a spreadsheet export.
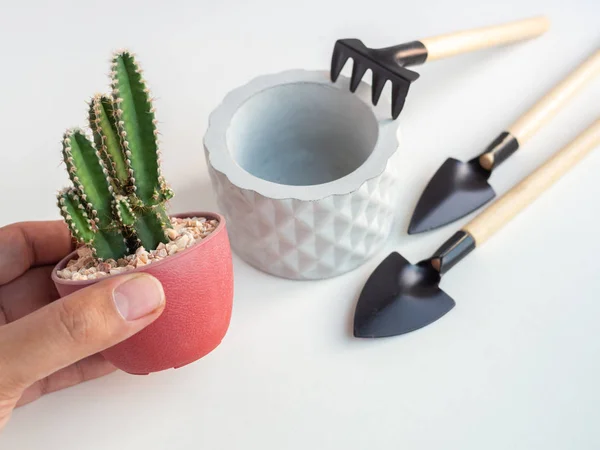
548	106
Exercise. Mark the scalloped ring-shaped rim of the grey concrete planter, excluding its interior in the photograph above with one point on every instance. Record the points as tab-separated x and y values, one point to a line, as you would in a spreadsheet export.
221	159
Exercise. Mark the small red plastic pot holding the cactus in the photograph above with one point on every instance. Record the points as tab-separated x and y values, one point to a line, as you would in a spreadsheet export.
198	285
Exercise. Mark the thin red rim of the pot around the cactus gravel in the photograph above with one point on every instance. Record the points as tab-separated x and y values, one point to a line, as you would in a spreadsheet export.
209	215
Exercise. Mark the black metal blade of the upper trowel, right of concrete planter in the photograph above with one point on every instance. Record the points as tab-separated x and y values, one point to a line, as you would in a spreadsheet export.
457	189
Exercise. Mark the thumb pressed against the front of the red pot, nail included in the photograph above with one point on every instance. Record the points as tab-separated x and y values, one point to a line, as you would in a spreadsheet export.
79	325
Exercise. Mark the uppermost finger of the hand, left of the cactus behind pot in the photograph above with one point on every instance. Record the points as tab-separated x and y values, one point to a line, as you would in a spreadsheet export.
28	244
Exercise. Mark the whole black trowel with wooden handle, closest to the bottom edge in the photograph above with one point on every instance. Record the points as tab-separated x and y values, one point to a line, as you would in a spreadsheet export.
400	297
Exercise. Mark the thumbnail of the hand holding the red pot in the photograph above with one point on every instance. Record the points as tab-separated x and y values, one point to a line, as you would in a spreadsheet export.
138	297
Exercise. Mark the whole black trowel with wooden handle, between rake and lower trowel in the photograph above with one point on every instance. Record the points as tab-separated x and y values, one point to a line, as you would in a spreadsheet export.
459	188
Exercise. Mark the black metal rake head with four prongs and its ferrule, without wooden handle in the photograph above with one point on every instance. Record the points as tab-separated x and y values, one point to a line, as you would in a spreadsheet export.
386	64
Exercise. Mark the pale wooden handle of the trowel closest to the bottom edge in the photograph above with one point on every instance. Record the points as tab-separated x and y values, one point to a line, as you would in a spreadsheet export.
514	201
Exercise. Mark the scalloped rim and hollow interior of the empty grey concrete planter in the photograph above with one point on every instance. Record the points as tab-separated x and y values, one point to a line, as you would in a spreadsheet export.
294	134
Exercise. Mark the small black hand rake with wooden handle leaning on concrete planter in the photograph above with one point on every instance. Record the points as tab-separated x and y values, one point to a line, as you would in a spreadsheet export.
389	63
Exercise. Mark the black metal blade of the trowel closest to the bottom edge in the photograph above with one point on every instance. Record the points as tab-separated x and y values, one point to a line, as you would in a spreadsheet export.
399	297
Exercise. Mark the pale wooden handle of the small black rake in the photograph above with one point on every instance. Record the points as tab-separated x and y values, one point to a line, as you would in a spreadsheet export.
452	44
